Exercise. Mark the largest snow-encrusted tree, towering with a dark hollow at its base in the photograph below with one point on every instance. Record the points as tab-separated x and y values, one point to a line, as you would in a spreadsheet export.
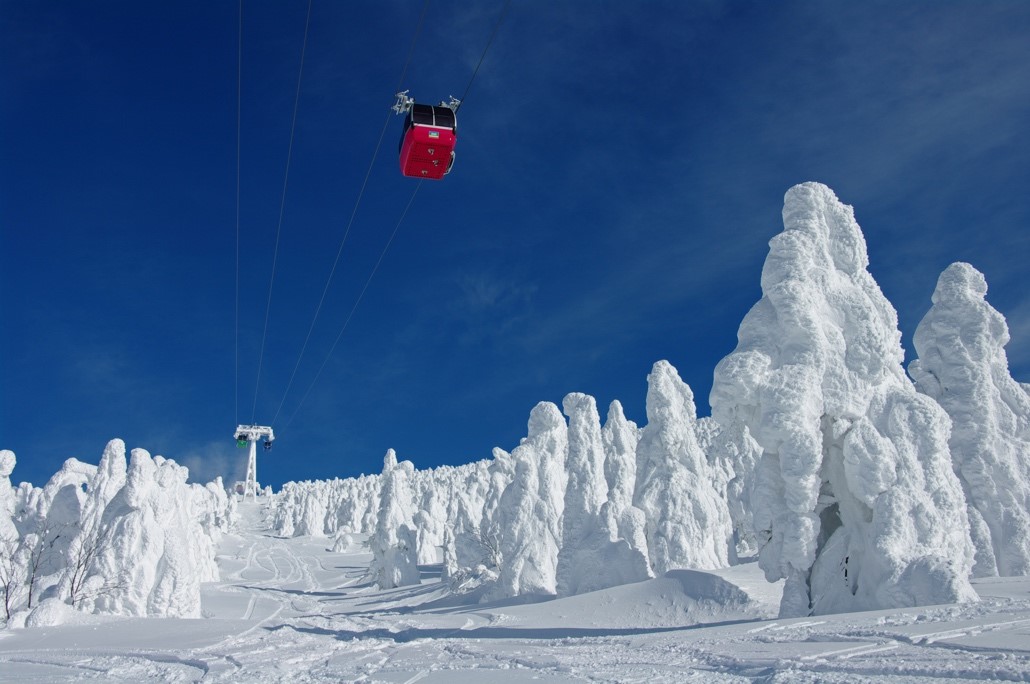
855	502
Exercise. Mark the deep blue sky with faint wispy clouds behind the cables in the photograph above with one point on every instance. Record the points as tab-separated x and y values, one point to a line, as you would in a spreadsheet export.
621	172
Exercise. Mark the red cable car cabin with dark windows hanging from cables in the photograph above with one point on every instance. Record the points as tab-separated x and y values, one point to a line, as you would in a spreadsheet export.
428	143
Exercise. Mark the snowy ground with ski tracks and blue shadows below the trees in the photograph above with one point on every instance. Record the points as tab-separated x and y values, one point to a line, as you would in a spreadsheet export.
289	610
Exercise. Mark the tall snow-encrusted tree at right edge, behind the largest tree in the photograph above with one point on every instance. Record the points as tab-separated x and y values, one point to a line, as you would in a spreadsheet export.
963	365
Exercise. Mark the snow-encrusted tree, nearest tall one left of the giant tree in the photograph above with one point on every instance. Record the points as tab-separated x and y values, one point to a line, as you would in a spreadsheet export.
689	523
